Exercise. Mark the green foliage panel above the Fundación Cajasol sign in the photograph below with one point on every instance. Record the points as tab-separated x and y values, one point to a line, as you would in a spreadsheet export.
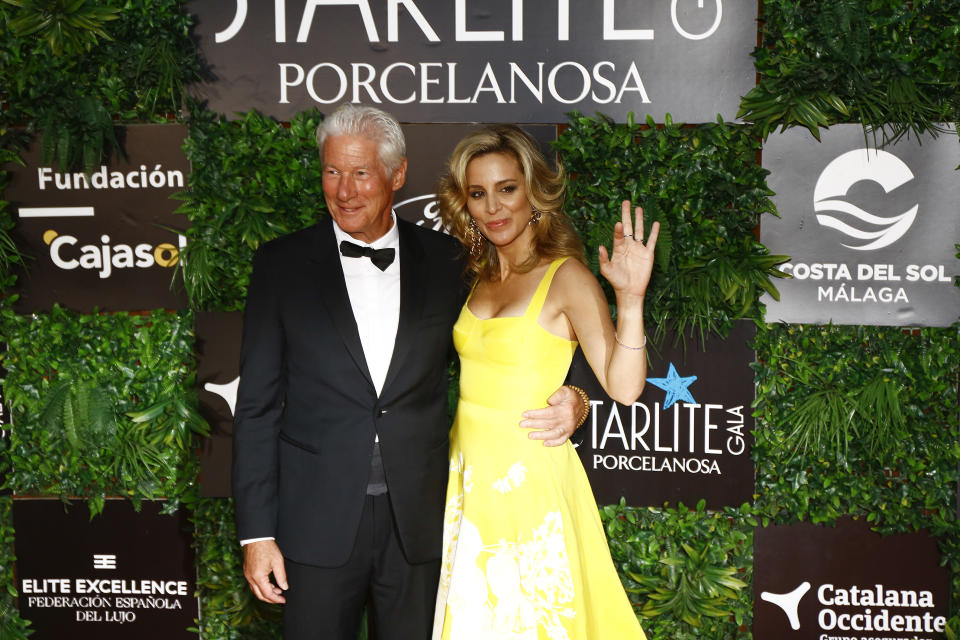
72	74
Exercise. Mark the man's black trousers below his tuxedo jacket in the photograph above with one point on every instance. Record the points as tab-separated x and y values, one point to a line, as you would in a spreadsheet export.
326	603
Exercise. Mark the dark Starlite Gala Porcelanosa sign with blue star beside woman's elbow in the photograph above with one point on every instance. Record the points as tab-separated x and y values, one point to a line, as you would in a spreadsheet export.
687	437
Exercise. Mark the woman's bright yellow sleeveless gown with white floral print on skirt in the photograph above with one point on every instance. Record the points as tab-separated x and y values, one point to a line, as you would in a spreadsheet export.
525	556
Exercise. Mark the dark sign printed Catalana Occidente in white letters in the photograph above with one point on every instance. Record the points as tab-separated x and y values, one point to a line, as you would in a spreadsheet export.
847	582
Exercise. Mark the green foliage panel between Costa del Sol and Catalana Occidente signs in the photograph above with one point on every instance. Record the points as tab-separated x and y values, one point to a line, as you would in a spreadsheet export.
882	437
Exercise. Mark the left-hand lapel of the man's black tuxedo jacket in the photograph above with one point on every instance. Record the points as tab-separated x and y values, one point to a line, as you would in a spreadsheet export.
333	293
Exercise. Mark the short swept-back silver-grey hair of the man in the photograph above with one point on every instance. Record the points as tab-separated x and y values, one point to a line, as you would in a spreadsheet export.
367	122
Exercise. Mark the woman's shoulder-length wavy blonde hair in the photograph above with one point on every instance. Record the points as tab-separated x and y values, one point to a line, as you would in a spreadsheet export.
554	235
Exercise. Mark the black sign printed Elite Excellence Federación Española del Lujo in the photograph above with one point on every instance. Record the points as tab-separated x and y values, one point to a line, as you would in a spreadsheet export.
121	575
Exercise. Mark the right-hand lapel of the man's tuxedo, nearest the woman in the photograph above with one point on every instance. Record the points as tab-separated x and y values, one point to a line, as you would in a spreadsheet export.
412	272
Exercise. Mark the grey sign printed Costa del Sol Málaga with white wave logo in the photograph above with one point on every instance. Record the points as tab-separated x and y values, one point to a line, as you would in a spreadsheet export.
871	231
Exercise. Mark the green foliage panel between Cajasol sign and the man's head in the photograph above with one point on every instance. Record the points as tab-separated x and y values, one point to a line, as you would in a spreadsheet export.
252	180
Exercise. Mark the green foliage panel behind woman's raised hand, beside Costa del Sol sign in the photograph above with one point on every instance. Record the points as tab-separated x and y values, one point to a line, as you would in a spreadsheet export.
704	186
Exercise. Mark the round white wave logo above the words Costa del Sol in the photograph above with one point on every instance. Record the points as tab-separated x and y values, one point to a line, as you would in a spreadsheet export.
879	166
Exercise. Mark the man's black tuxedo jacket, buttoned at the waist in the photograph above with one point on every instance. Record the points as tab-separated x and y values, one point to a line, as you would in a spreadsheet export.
307	411
